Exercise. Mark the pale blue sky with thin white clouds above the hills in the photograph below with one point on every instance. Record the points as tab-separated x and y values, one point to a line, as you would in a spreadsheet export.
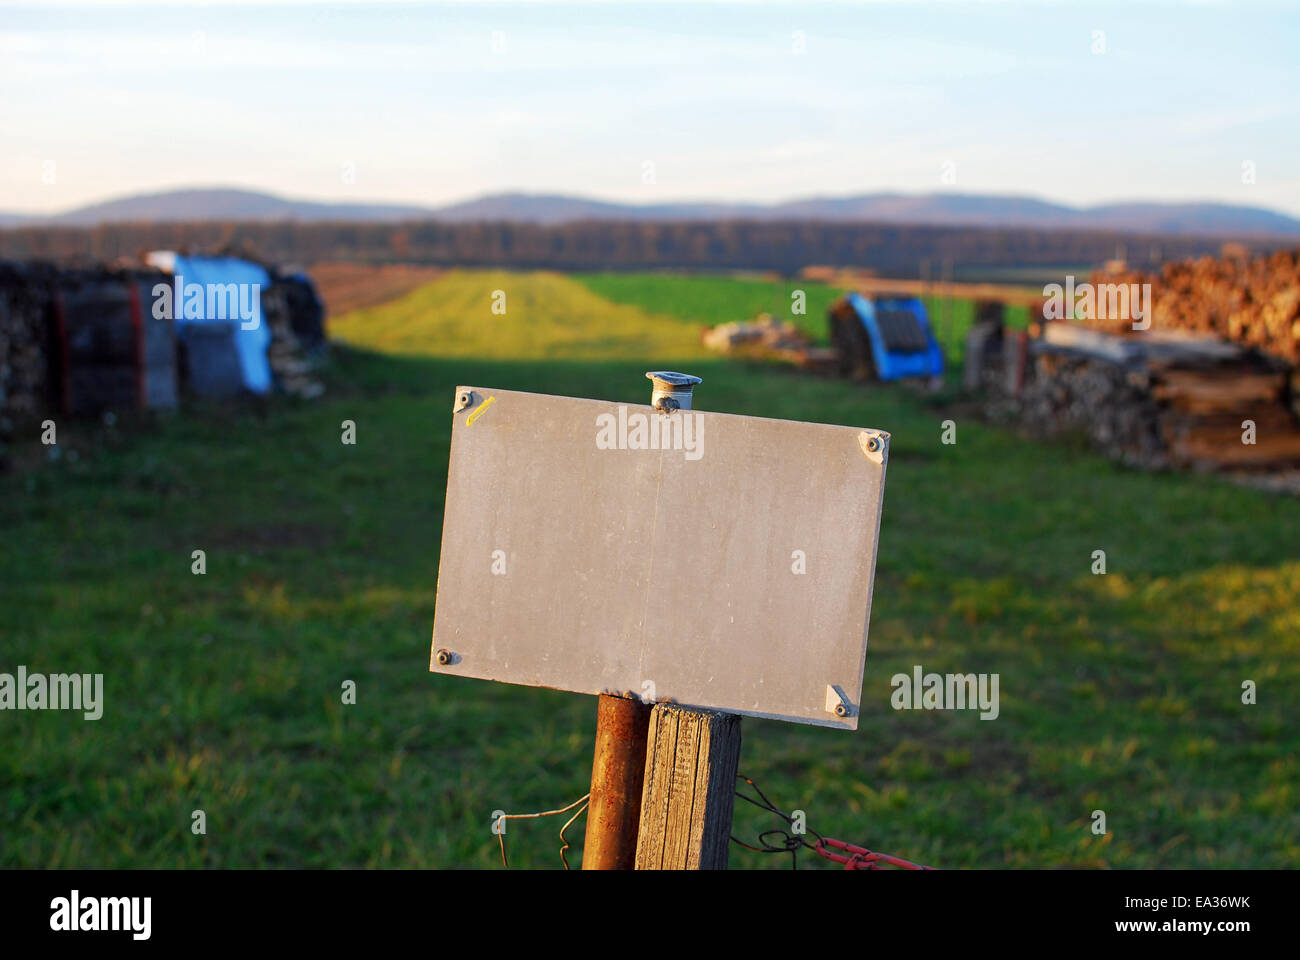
648	103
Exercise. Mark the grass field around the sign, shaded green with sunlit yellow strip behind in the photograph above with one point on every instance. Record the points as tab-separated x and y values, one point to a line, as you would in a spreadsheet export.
1119	693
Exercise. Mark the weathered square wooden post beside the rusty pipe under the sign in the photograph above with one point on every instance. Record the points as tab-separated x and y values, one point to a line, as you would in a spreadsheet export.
692	758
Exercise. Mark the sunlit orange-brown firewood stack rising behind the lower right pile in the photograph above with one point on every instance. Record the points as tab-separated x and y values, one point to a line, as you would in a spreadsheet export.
1254	302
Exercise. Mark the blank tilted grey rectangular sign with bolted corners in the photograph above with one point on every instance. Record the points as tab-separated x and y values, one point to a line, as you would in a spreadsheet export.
700	559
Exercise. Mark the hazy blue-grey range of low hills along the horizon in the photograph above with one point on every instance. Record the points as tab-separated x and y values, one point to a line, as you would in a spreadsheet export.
930	210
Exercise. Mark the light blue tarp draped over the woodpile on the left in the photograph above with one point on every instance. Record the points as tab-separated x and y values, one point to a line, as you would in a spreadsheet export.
214	275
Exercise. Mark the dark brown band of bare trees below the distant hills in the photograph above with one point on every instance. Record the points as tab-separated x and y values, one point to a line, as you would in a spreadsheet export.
786	248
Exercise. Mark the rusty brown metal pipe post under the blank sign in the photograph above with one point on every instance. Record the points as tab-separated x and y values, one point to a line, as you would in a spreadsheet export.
618	775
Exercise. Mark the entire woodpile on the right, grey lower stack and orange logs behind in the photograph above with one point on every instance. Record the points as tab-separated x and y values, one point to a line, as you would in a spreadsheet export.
1211	384
